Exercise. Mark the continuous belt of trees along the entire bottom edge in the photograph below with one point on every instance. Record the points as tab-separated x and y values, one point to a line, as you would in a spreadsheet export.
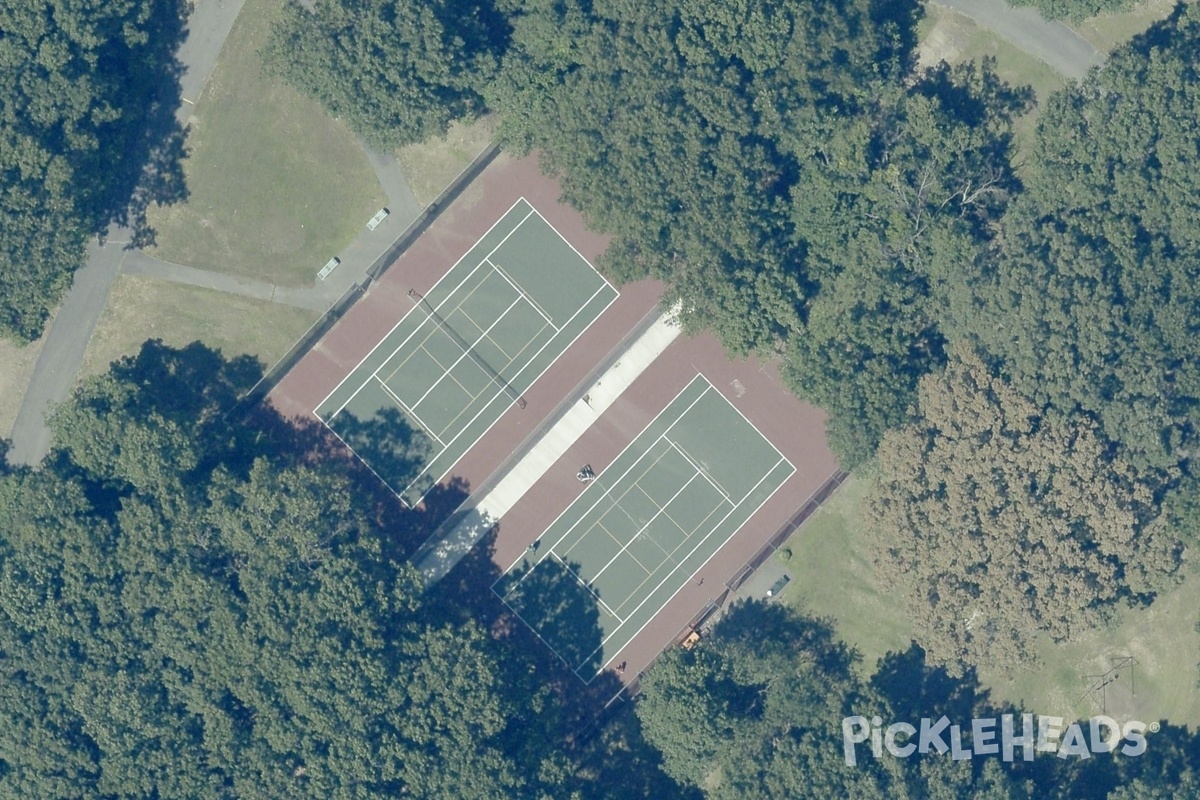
197	601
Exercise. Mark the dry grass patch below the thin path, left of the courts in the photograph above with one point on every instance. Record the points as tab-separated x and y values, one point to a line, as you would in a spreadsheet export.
141	309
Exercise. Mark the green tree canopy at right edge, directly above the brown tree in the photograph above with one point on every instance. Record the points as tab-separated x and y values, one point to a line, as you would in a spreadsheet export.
1093	302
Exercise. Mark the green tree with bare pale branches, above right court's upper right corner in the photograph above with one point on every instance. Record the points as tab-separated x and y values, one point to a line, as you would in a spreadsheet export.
890	214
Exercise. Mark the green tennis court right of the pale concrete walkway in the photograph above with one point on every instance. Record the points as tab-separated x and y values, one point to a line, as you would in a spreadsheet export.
644	528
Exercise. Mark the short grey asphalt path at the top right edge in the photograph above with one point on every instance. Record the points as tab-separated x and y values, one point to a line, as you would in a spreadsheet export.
1055	44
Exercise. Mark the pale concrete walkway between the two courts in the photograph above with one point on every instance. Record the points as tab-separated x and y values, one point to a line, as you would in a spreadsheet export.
452	543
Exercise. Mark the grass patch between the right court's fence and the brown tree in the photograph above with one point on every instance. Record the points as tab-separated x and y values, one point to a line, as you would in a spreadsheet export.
832	576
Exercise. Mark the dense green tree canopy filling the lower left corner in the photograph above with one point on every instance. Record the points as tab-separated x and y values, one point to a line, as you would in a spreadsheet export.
191	610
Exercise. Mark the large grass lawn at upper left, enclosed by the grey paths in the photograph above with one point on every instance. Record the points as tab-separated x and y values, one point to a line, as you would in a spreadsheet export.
277	188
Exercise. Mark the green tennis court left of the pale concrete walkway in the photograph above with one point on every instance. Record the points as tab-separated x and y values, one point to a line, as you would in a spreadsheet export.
466	352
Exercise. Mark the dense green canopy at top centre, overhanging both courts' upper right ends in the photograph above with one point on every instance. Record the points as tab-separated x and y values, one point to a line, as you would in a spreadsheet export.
781	169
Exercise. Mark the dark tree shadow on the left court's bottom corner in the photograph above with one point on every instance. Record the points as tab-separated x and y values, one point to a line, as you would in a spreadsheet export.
391	446
